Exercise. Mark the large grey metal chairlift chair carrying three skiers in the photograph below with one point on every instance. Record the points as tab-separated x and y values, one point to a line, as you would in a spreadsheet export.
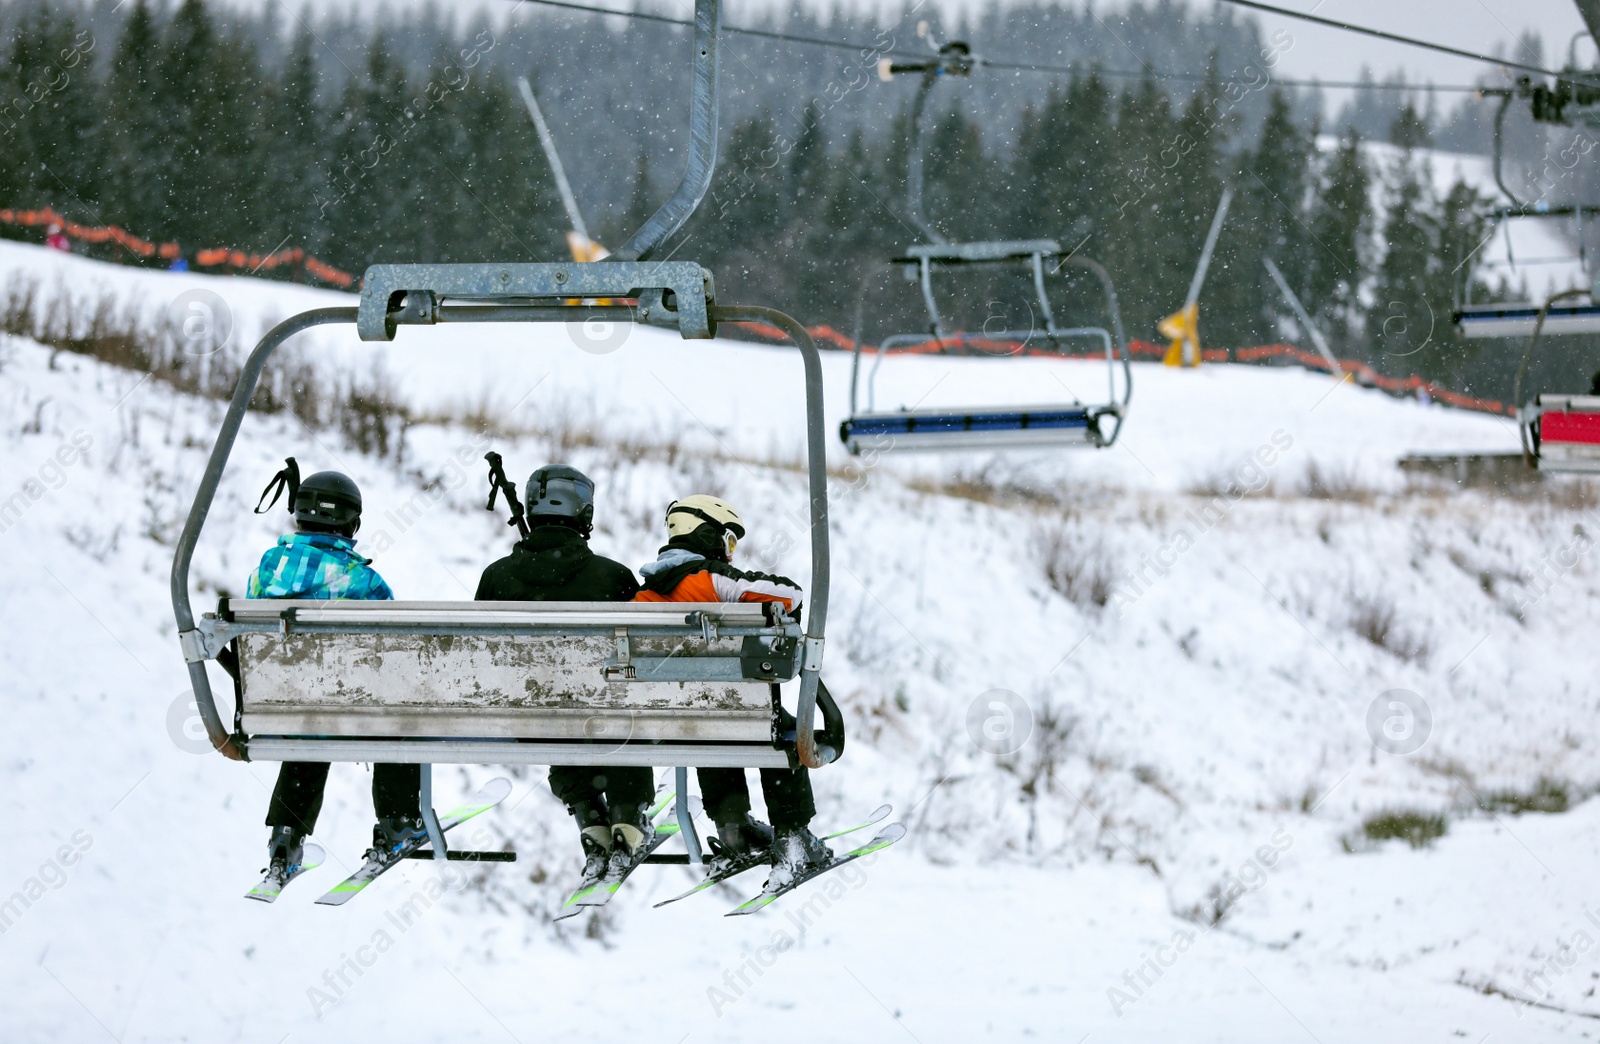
513	683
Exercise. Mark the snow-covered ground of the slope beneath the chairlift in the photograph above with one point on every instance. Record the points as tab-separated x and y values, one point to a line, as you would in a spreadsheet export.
1201	739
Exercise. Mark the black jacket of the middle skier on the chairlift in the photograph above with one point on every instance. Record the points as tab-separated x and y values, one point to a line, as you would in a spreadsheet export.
556	566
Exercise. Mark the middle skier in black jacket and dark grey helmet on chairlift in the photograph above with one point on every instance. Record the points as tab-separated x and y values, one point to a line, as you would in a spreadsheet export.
554	564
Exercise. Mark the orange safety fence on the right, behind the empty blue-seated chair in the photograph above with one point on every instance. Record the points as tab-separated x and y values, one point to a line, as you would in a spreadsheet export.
1361	372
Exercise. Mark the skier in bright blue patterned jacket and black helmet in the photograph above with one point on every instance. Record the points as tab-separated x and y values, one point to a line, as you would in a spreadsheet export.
319	561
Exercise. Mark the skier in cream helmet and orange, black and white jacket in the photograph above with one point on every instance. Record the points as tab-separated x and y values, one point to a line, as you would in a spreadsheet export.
695	566
